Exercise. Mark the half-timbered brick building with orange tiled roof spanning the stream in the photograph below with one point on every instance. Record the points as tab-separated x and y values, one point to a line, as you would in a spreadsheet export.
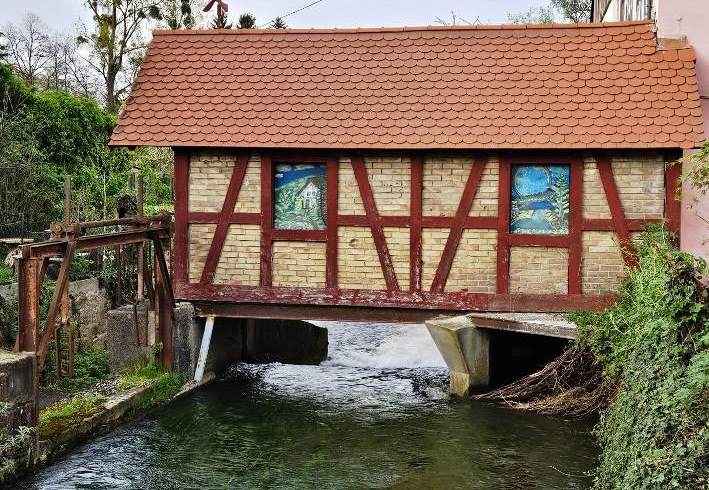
429	139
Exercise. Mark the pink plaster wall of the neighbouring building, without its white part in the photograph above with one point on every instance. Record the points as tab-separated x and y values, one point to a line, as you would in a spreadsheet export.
691	18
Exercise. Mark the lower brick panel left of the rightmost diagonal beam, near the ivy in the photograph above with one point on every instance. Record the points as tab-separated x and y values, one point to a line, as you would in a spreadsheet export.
602	265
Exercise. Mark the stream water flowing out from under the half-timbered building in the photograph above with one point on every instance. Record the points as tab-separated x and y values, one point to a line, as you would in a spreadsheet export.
374	415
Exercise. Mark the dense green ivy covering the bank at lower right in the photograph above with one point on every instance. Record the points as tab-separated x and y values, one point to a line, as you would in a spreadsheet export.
655	342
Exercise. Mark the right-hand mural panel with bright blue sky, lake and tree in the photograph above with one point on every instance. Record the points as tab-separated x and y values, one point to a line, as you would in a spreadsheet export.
540	199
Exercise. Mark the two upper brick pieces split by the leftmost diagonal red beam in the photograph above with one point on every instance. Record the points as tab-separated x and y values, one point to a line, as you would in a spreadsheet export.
210	173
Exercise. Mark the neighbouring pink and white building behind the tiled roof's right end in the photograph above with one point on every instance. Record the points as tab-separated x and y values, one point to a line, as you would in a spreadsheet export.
678	23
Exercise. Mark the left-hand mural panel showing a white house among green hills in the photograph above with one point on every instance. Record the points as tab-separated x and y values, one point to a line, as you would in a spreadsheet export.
300	197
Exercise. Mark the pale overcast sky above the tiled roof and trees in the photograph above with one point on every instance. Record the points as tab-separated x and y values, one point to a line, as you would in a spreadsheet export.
64	15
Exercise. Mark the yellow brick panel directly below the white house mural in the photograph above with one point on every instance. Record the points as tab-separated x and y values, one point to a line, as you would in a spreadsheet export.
300	264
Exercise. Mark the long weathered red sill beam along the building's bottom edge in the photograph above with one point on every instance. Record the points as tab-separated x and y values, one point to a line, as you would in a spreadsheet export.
458	301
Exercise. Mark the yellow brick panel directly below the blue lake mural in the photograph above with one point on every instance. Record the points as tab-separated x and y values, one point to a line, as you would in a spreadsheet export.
539	270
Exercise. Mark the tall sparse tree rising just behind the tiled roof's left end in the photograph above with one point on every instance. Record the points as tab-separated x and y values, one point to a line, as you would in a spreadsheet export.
116	42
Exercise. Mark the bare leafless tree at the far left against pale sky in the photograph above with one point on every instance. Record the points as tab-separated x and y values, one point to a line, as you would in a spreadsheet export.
28	47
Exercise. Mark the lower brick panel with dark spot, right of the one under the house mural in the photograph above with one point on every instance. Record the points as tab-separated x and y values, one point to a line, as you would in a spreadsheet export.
358	264
